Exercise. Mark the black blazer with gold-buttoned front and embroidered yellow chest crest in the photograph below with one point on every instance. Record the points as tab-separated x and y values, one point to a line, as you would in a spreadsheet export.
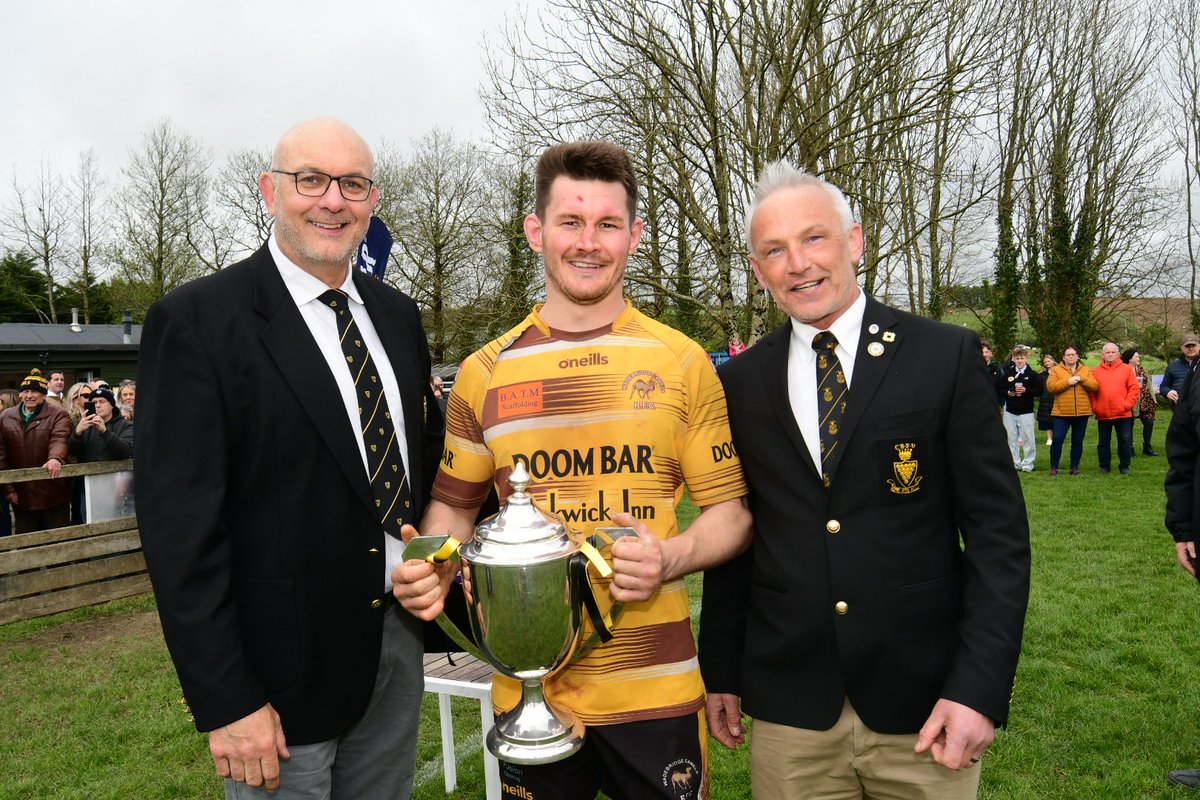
908	580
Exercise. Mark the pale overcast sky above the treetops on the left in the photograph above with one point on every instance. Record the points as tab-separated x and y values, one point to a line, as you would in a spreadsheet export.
232	74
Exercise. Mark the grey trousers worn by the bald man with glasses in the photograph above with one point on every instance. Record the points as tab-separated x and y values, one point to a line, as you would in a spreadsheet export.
376	759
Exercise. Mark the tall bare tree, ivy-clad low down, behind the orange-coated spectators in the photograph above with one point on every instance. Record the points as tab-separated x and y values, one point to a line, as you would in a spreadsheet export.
1094	167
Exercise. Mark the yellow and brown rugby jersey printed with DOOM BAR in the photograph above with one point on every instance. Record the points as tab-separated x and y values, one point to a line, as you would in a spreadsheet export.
619	419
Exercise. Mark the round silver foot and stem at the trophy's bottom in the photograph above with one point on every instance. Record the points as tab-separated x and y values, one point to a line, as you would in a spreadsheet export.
536	732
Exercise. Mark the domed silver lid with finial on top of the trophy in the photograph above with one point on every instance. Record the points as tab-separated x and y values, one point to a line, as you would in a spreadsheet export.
520	533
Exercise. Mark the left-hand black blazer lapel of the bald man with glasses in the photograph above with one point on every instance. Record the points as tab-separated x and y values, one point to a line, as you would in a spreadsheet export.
303	366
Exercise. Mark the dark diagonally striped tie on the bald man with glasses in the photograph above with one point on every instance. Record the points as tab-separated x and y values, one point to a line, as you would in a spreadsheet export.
386	468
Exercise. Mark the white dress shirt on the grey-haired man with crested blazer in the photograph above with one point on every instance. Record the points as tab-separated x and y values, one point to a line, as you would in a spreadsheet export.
802	370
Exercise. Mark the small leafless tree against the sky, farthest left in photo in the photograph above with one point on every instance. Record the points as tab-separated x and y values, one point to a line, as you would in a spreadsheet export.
39	222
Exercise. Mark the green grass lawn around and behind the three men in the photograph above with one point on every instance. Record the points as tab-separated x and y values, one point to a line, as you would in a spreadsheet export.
1106	701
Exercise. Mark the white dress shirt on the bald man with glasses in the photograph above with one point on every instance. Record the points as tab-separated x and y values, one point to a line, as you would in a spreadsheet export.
322	322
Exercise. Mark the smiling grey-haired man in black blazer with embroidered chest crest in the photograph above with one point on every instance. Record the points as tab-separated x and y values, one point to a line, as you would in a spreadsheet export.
873	629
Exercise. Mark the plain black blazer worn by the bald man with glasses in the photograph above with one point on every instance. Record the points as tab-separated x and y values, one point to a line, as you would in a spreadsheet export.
257	519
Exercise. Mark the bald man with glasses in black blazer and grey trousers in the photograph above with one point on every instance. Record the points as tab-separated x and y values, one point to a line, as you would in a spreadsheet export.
262	530
